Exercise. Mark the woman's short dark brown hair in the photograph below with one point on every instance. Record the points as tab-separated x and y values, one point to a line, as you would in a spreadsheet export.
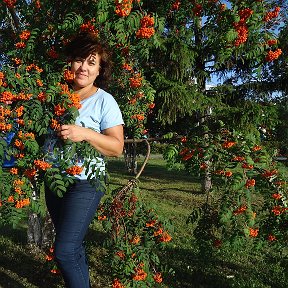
84	44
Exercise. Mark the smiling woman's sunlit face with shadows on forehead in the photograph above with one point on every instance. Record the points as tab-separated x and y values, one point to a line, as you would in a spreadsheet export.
86	70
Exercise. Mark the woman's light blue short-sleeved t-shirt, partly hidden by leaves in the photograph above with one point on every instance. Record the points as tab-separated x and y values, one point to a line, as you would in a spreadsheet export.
98	112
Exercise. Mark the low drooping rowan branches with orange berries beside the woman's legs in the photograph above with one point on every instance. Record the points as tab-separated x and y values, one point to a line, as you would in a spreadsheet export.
137	236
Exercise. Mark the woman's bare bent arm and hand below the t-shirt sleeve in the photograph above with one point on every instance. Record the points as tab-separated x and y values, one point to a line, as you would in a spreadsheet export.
110	143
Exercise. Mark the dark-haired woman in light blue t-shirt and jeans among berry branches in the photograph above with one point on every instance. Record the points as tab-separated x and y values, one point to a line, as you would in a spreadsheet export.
73	213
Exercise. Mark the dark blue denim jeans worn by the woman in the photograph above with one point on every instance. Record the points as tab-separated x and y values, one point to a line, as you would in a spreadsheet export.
71	216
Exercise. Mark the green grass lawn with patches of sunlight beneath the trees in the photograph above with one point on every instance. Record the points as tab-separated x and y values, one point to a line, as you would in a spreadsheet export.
173	194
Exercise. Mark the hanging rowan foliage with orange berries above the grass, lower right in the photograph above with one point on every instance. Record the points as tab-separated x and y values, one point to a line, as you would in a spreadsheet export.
248	200
